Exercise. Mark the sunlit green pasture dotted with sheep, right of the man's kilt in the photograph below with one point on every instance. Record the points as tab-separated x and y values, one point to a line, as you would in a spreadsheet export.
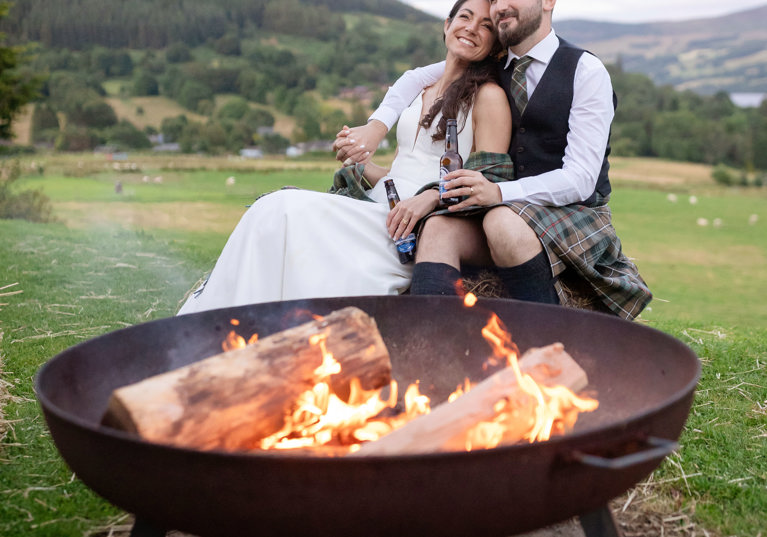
715	273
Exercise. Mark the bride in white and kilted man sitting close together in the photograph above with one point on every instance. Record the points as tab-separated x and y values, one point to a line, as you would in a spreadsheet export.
534	115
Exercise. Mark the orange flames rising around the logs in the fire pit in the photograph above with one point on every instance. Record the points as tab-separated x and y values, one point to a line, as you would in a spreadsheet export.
320	419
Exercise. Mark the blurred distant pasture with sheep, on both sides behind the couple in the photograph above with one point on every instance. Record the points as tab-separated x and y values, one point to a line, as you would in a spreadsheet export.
686	233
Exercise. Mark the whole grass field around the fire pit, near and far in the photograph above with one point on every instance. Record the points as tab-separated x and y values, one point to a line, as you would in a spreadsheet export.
114	260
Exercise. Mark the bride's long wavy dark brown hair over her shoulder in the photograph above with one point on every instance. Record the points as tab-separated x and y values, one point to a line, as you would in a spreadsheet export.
460	95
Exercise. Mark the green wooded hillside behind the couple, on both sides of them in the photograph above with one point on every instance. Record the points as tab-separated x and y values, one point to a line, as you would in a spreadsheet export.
217	77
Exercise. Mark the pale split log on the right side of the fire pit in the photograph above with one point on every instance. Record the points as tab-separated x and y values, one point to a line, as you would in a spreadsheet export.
446	427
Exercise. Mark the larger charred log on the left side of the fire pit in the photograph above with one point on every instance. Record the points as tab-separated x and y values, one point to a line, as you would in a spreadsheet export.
232	400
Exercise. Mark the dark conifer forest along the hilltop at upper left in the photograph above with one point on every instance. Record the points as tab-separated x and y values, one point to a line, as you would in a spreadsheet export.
78	24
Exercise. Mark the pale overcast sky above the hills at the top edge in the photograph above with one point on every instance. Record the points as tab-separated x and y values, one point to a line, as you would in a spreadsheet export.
625	11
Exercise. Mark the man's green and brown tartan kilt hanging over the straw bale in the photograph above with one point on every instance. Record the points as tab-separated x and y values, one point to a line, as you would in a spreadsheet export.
581	243
